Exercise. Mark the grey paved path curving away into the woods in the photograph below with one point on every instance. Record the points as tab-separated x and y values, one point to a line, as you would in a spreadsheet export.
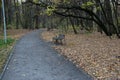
33	59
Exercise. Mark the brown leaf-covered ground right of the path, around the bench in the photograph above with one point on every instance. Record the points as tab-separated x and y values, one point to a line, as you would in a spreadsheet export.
97	54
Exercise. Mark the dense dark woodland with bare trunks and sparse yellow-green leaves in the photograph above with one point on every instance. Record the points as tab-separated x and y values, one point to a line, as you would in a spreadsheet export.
78	15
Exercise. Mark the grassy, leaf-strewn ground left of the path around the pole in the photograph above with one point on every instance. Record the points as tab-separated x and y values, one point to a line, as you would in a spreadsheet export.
5	49
